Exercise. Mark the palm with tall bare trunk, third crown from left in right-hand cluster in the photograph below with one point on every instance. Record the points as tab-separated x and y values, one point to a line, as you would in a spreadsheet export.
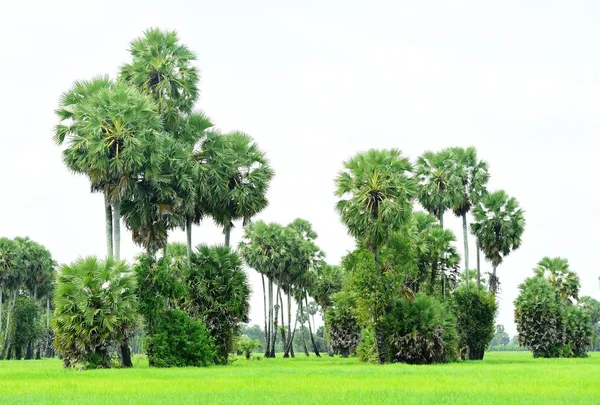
473	175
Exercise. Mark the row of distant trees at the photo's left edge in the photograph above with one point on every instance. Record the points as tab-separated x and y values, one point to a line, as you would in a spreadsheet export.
26	285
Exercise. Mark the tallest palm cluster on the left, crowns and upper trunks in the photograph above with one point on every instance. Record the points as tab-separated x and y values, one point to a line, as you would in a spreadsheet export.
159	163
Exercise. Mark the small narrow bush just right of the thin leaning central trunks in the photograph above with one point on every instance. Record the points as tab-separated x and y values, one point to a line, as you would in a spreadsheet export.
343	329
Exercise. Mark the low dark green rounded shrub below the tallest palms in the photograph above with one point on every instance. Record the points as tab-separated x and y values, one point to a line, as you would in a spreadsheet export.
180	341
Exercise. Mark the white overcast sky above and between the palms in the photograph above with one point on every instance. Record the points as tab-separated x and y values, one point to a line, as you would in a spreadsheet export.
315	82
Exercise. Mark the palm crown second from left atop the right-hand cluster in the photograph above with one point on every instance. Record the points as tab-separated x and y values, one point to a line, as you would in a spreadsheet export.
439	186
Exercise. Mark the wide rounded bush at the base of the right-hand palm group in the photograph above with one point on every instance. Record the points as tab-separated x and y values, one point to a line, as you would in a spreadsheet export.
421	331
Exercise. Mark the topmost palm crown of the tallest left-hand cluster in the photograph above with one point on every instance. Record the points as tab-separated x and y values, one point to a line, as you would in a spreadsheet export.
164	69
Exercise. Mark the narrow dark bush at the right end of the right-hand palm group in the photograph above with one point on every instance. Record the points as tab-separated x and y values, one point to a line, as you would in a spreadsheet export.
475	313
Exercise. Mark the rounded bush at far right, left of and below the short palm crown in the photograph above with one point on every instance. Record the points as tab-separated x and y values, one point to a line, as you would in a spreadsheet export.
539	318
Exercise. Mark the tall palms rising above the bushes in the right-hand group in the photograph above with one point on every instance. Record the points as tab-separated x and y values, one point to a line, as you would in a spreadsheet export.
376	192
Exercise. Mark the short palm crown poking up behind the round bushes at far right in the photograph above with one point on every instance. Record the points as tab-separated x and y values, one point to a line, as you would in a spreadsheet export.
556	270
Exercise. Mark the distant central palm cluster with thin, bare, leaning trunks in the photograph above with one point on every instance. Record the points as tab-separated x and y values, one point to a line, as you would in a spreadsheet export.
288	257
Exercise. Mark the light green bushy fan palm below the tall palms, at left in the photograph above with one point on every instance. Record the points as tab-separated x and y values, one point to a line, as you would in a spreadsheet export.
95	310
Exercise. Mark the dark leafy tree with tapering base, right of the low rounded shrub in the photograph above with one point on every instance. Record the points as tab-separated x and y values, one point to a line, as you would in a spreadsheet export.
220	293
